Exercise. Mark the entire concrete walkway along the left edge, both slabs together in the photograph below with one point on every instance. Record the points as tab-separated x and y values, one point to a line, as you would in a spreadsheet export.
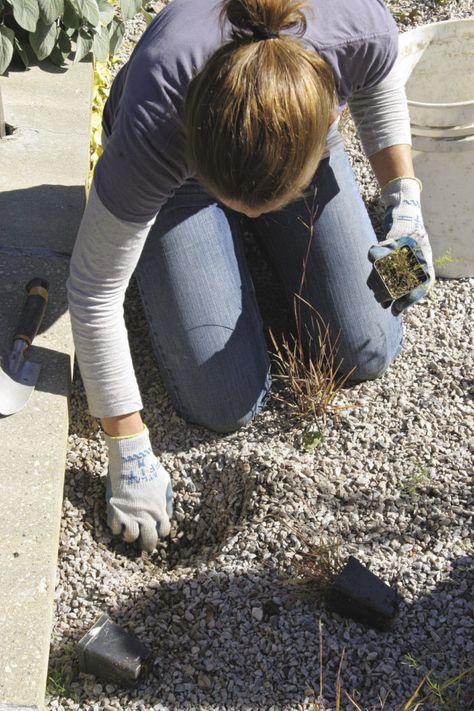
42	178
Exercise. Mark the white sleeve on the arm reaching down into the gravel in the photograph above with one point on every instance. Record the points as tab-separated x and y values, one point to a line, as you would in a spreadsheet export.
105	255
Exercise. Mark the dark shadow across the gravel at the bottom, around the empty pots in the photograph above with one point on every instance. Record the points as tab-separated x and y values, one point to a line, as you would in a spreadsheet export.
231	640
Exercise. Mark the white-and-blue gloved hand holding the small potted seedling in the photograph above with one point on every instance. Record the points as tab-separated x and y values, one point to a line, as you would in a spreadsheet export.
403	224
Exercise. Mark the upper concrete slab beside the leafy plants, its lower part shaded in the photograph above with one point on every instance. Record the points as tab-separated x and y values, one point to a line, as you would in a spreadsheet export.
50	111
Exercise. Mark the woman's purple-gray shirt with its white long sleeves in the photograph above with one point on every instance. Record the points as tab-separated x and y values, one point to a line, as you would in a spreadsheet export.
144	160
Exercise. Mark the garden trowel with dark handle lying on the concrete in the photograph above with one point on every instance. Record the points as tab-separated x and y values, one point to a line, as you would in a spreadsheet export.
18	376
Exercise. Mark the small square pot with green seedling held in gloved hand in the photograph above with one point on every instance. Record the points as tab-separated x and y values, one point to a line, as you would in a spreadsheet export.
400	272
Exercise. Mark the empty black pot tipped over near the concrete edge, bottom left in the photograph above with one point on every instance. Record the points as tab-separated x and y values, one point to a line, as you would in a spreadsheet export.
112	654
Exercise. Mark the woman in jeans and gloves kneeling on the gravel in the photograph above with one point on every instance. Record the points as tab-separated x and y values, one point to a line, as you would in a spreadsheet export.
226	118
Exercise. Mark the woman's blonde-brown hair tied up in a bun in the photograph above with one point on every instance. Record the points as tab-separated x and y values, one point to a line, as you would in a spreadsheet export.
257	113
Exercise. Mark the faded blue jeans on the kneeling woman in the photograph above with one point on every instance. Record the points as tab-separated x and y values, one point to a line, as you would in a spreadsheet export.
200	303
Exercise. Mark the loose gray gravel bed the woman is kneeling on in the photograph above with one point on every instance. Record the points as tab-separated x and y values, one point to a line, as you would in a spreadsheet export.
390	483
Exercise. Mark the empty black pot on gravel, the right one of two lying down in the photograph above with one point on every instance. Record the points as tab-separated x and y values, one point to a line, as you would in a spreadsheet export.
359	594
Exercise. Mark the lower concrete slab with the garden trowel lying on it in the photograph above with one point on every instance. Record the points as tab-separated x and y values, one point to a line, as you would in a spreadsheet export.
33	452
